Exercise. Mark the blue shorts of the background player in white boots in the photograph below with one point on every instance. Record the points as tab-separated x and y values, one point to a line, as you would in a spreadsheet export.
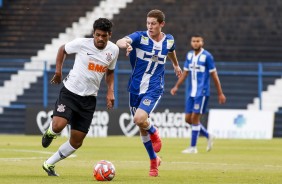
196	105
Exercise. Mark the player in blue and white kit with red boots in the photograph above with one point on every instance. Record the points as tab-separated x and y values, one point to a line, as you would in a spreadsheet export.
148	51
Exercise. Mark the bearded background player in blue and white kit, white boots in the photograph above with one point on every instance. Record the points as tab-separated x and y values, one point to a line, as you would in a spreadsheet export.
199	66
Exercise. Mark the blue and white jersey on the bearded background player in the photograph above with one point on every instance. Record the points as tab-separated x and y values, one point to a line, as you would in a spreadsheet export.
199	67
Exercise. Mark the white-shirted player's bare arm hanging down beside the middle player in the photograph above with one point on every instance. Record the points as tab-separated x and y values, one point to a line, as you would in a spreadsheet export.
110	92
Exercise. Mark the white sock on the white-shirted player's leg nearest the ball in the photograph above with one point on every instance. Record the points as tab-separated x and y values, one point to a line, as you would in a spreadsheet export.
64	151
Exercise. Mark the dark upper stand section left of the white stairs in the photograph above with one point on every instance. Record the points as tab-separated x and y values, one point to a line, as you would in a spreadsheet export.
27	26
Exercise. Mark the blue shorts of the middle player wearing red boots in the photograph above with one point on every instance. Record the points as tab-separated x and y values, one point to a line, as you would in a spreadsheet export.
146	102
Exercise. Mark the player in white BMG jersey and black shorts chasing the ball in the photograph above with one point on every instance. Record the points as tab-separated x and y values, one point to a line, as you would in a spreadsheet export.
76	103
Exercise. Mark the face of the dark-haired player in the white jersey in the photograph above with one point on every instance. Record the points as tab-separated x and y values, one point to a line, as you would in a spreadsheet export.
101	38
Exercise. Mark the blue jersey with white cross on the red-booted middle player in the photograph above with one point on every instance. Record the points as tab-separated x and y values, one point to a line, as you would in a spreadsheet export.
147	60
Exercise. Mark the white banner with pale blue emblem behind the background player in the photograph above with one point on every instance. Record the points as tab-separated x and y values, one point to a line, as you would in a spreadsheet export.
241	124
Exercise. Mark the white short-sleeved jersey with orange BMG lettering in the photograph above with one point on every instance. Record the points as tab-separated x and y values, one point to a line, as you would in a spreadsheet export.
90	65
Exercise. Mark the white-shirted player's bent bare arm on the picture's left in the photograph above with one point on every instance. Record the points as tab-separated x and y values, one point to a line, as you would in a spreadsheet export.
61	55
